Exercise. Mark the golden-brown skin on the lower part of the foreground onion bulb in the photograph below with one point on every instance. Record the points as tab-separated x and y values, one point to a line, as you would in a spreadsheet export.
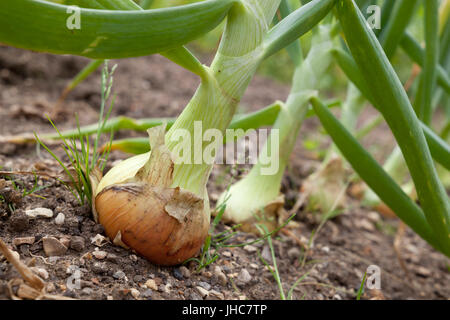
164	225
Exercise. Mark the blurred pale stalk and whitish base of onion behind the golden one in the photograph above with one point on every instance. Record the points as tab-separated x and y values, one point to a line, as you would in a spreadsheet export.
256	198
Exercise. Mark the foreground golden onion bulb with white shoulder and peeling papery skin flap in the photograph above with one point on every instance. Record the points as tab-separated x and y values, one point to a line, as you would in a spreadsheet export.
140	209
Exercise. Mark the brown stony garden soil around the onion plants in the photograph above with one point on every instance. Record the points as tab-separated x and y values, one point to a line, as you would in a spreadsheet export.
342	250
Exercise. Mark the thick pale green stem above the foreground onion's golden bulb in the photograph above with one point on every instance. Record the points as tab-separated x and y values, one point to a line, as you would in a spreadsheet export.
215	101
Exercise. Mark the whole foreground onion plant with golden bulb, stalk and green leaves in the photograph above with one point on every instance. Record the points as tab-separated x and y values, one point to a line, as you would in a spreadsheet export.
151	203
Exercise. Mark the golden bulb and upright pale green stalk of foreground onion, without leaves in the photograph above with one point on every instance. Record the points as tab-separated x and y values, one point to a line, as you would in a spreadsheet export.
156	206
